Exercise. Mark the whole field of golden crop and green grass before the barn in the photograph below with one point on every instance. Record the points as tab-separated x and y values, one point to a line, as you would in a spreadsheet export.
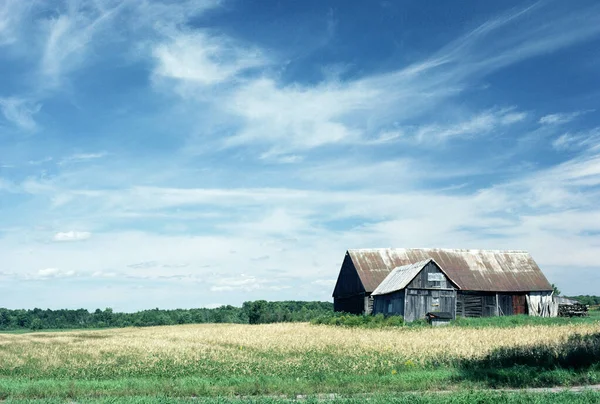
271	362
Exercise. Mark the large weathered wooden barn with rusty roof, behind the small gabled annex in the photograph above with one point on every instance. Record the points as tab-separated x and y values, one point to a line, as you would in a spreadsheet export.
488	283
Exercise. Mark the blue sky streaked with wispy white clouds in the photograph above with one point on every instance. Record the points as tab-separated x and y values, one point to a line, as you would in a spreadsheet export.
196	153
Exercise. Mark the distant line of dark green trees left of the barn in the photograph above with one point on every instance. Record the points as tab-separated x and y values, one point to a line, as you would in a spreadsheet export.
256	312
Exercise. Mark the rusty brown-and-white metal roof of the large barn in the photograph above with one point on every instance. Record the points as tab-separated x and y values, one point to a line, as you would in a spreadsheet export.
476	270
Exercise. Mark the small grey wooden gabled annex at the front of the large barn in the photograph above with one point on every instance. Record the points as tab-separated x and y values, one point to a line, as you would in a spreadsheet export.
414	290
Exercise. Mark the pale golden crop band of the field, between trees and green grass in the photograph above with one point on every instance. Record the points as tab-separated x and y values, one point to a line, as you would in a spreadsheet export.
294	349
